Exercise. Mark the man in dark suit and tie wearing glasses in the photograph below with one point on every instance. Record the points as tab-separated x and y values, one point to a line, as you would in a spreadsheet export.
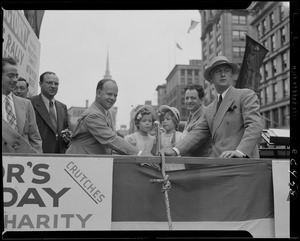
51	115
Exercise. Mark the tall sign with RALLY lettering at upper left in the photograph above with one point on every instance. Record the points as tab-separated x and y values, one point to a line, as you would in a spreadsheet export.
21	43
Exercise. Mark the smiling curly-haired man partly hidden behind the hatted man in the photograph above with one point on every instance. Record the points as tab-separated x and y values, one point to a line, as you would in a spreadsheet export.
194	95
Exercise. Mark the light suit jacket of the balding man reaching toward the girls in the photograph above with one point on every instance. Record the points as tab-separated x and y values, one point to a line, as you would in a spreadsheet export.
95	134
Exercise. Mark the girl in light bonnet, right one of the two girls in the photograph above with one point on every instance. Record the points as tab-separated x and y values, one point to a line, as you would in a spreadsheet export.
170	118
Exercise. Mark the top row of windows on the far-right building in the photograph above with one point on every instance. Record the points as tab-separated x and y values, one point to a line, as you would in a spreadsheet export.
270	21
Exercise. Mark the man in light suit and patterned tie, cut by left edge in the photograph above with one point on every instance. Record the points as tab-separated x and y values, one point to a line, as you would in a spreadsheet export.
18	113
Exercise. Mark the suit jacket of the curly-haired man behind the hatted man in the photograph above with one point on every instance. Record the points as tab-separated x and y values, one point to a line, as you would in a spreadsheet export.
205	150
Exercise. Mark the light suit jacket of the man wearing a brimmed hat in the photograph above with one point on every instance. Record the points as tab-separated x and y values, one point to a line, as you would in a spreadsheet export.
236	126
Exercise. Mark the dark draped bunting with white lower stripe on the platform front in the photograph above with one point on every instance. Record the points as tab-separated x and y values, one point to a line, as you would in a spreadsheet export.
215	195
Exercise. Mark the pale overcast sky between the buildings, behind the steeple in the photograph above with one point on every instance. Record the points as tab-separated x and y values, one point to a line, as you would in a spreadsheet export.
141	45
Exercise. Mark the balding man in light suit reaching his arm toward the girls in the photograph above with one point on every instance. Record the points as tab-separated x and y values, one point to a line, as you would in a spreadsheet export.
95	130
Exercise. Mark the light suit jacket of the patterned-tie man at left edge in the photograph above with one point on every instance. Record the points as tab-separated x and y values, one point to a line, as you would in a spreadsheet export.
26	122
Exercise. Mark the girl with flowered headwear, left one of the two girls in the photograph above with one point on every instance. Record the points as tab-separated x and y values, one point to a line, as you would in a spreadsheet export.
143	120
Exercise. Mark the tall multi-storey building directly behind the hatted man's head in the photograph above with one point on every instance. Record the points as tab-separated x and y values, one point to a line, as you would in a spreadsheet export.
223	33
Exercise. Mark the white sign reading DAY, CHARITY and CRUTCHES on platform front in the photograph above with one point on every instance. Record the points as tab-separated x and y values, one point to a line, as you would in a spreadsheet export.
57	193
